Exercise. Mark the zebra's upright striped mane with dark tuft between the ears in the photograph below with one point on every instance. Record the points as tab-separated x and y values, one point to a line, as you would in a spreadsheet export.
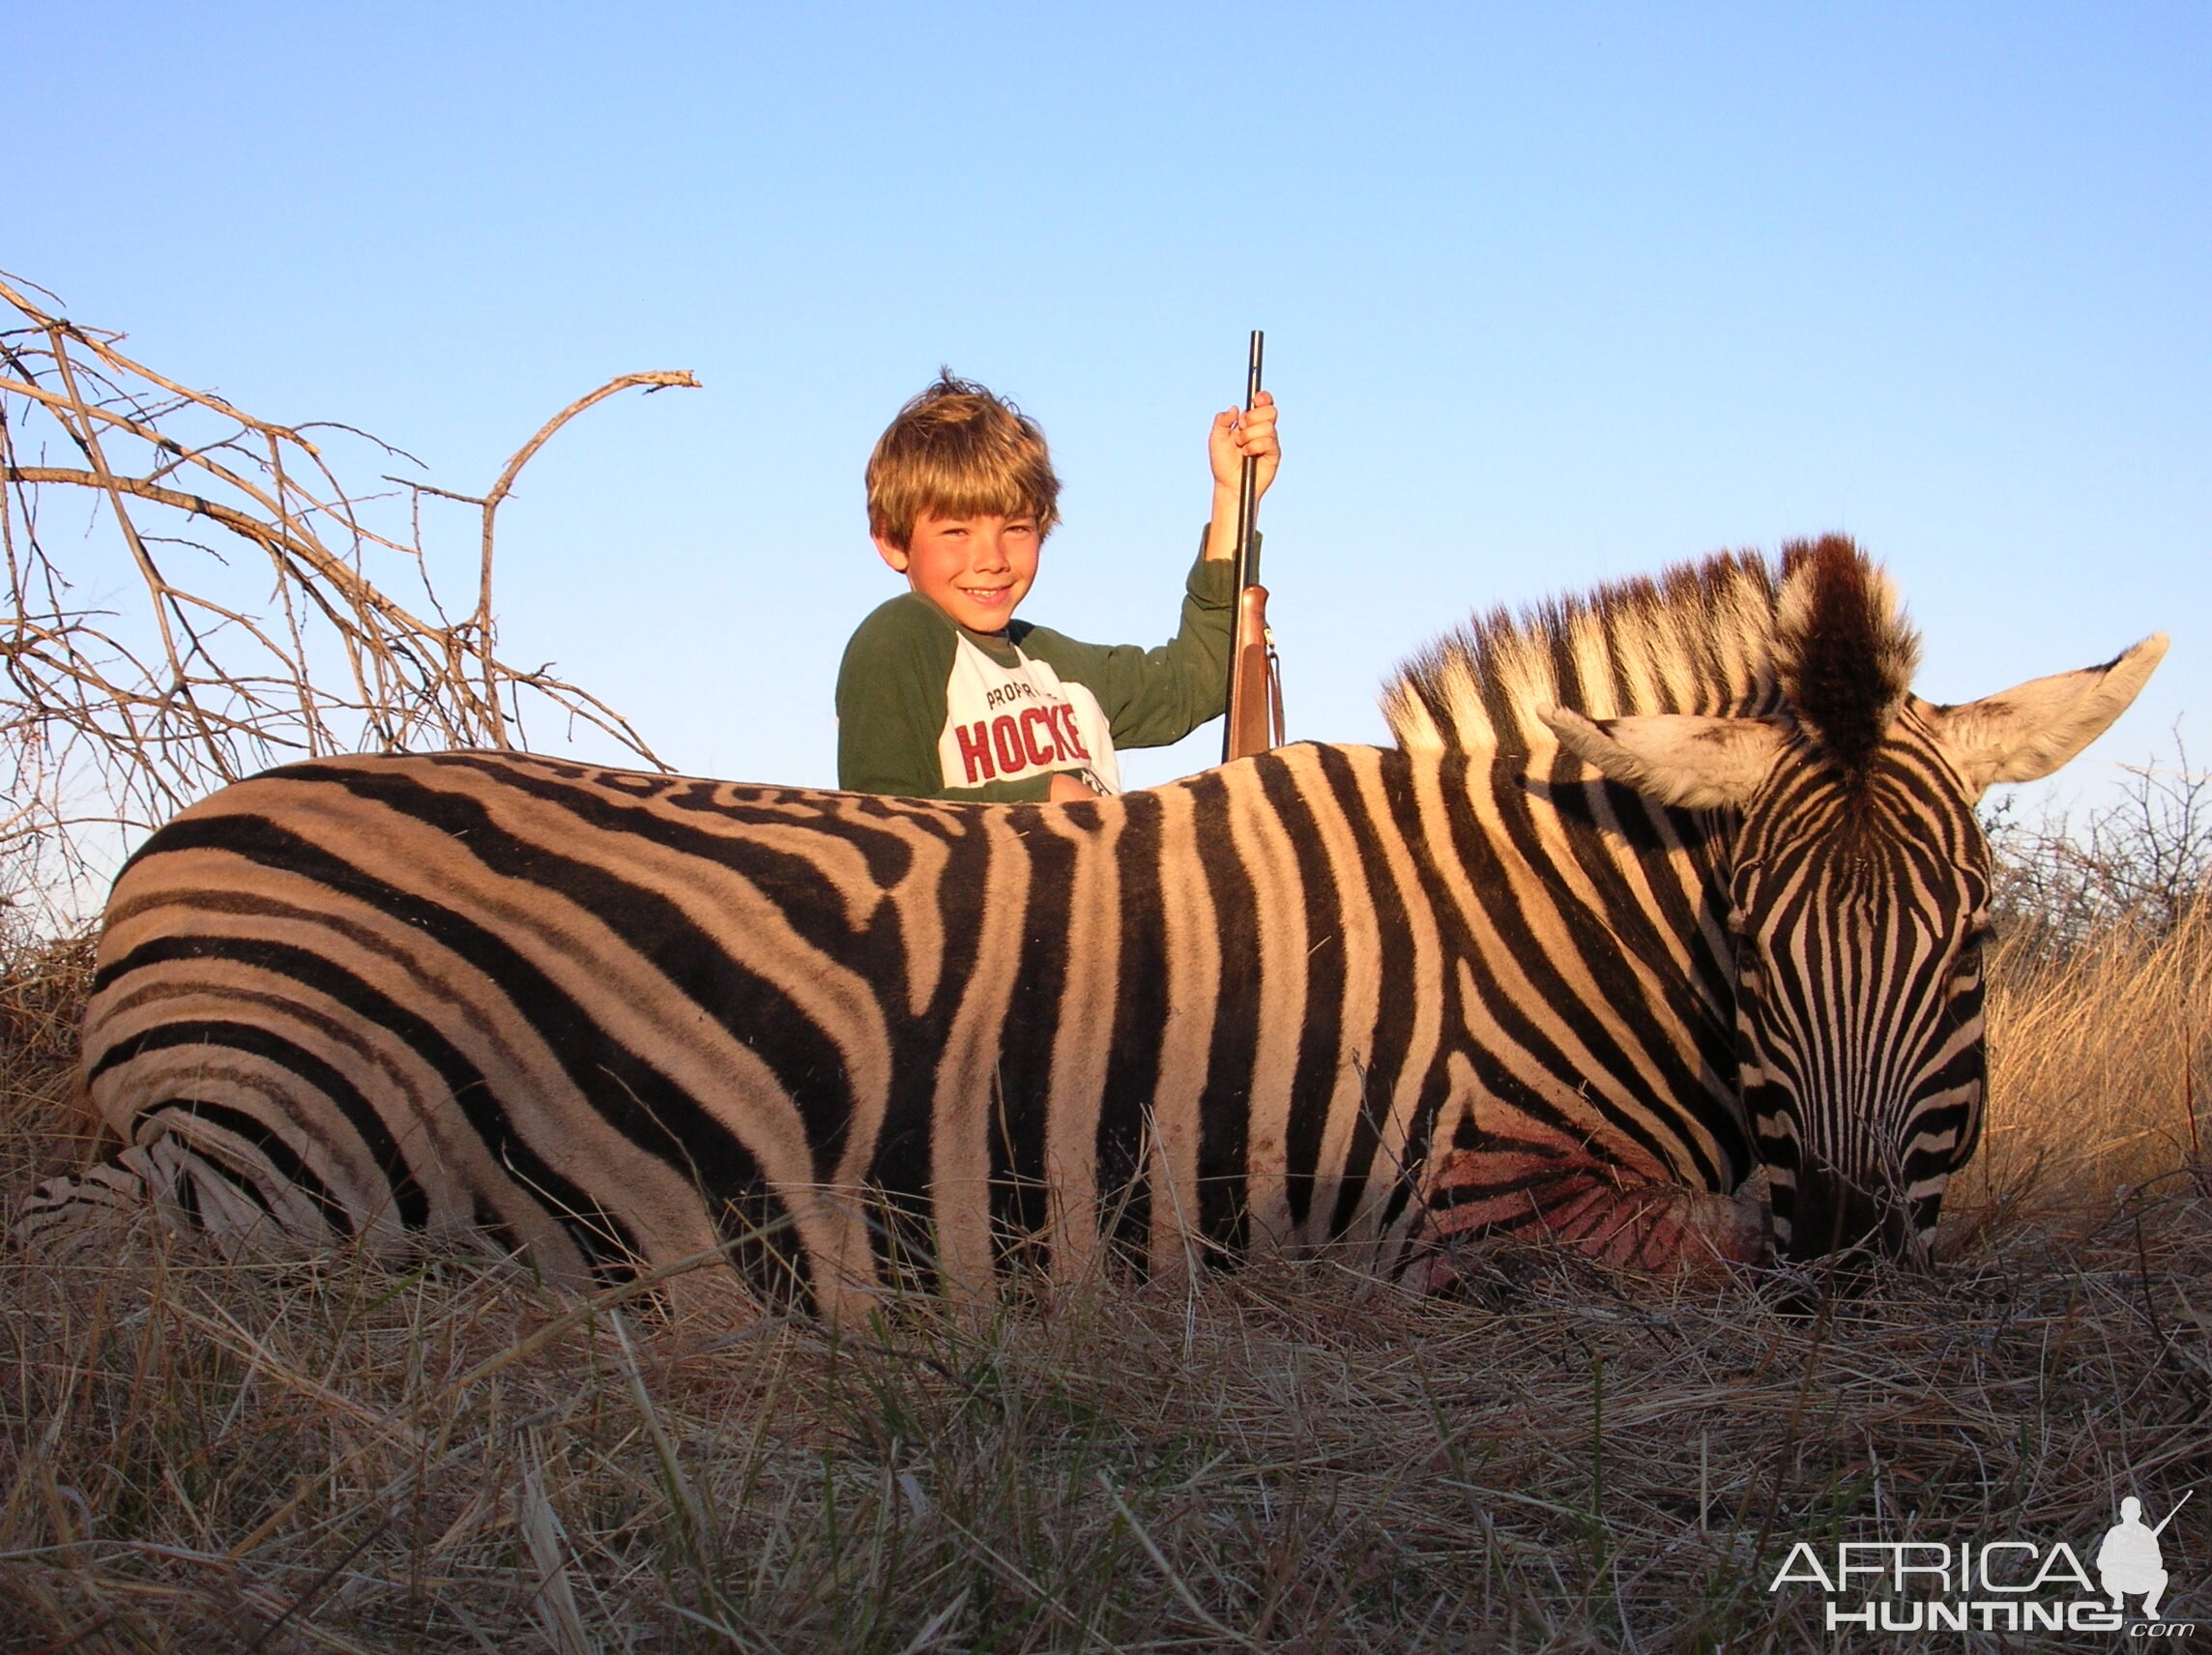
1731	634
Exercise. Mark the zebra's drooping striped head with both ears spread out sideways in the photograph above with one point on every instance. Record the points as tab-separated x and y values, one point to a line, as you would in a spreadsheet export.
1857	891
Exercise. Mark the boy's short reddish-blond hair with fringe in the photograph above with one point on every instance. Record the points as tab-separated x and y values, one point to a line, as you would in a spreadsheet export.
959	450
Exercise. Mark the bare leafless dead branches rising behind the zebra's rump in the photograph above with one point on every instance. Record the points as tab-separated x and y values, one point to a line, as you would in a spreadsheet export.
143	667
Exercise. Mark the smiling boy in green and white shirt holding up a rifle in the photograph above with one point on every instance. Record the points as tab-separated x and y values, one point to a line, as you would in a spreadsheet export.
943	694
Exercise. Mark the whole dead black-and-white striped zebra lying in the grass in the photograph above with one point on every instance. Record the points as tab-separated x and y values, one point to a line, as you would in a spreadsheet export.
1660	886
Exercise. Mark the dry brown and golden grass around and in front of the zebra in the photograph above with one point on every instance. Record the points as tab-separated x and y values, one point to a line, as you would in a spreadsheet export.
209	1457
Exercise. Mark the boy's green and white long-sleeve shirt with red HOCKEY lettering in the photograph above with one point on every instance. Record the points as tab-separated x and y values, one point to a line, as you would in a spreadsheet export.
935	711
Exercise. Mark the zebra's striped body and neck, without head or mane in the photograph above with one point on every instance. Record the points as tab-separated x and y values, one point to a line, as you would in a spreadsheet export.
634	1017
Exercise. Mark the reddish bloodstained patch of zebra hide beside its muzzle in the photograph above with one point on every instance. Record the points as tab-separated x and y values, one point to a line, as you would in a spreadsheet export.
1543	1185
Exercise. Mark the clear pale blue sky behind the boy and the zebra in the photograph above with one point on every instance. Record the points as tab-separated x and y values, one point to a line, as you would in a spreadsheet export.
1554	293
